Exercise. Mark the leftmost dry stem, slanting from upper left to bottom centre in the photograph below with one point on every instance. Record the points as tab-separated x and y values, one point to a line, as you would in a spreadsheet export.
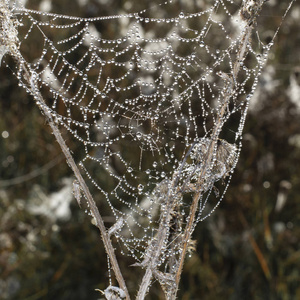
10	43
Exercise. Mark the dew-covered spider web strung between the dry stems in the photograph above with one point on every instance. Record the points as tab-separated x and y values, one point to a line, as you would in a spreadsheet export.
138	110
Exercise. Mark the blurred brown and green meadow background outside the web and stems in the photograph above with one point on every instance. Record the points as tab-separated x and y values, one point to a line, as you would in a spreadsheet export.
248	249
